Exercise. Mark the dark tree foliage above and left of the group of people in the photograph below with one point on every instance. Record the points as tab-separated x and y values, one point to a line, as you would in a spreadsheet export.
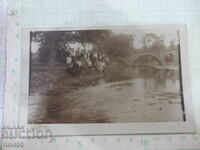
53	43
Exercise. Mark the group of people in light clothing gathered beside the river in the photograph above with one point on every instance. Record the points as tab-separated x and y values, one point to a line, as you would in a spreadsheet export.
80	60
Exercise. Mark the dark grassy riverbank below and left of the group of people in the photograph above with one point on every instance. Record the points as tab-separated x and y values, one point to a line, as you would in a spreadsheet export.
56	79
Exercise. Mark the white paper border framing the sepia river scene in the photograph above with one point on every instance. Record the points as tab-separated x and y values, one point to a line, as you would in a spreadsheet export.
187	126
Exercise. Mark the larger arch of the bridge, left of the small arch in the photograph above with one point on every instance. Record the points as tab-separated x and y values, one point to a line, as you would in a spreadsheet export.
147	58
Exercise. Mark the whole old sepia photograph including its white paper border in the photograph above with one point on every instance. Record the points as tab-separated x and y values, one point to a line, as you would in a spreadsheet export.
106	80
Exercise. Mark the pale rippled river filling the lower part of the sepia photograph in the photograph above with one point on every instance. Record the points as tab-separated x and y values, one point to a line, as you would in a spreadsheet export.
145	98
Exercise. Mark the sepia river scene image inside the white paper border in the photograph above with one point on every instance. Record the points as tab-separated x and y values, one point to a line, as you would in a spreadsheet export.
114	75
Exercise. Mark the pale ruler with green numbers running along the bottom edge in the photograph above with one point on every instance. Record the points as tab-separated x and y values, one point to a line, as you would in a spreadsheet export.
123	142
